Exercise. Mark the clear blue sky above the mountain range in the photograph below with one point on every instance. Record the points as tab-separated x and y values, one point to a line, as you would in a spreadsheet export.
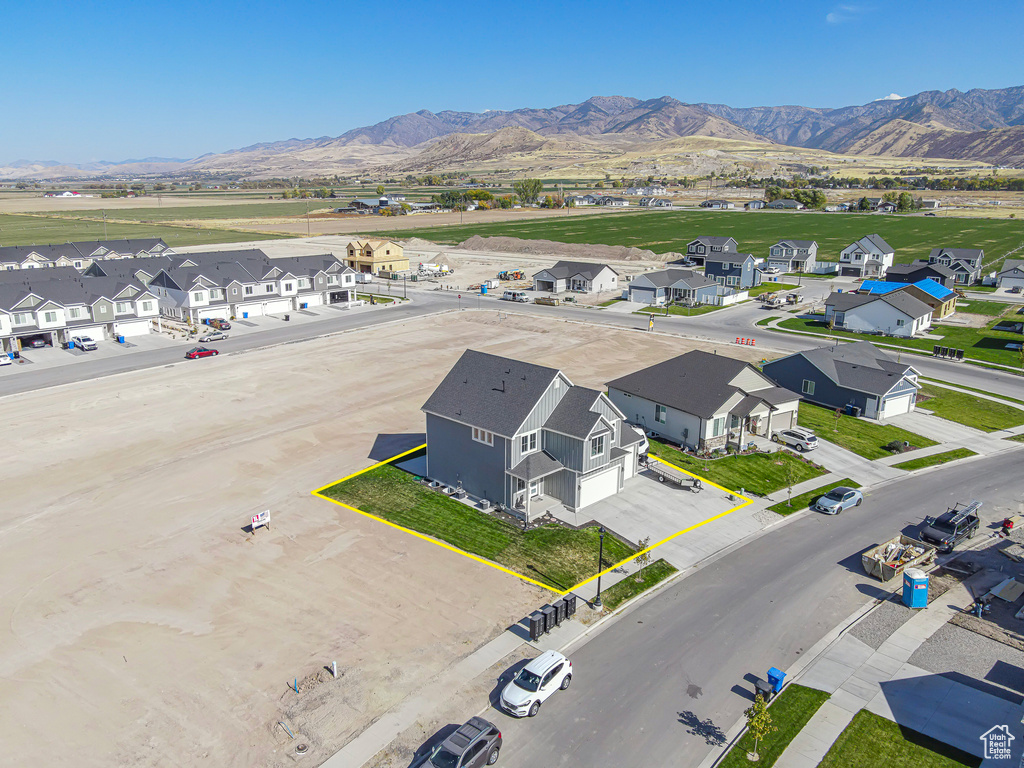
91	81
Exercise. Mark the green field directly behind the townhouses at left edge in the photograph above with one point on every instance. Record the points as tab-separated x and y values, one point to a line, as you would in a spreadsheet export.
17	230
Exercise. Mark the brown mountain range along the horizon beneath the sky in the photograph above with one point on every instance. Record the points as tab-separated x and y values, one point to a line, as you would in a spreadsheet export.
977	125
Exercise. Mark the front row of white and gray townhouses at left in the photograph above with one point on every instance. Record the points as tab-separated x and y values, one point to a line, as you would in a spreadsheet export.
125	297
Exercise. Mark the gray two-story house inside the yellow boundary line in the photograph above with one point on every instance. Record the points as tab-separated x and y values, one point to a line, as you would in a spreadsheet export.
523	436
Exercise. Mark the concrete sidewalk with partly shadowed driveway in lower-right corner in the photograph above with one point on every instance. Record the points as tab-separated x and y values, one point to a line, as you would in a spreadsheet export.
883	682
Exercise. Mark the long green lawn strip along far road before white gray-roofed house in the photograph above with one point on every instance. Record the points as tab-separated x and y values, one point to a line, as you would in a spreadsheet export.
980	345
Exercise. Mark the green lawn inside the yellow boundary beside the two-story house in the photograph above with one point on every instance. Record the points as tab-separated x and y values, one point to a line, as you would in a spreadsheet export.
551	554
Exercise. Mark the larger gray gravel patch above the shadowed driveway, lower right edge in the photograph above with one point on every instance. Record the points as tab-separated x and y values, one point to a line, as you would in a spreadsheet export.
970	659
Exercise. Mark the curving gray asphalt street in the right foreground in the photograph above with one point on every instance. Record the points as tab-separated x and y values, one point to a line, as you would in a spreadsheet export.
670	677
